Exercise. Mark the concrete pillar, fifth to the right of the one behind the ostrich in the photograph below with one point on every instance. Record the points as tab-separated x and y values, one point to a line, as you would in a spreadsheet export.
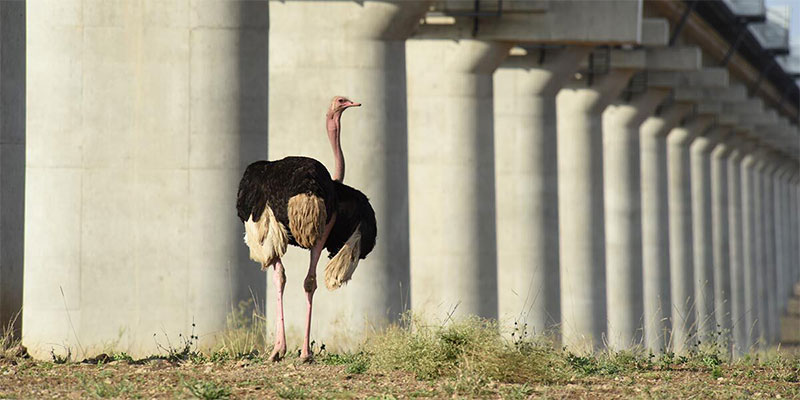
655	225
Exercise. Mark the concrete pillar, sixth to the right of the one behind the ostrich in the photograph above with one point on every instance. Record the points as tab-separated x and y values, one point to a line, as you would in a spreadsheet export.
680	230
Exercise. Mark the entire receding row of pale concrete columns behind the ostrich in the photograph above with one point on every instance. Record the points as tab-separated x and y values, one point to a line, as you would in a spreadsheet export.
520	188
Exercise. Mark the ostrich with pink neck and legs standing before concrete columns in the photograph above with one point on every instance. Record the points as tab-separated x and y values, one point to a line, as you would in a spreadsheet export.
295	201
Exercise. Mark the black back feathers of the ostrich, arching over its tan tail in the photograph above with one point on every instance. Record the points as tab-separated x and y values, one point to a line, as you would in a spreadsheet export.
273	183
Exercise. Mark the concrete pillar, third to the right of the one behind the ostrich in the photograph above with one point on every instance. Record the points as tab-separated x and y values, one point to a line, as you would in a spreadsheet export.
579	110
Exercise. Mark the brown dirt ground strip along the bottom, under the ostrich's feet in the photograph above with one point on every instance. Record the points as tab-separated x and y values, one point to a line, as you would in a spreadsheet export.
257	378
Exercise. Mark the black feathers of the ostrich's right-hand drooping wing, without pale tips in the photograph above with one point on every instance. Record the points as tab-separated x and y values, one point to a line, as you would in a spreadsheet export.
353	210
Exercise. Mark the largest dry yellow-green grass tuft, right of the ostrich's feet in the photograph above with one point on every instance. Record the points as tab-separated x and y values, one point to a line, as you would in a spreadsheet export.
472	349
